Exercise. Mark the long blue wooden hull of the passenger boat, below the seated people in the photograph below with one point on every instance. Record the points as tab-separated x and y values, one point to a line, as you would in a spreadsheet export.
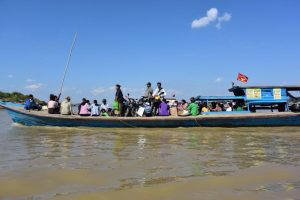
41	118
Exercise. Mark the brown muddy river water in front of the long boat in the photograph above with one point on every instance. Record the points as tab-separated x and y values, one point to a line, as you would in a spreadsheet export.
154	164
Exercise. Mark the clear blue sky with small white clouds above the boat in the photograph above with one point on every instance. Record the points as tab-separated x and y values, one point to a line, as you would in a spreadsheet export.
192	47
